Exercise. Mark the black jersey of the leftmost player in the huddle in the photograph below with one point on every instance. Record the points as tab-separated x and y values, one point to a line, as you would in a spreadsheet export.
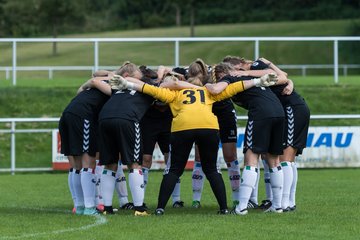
87	104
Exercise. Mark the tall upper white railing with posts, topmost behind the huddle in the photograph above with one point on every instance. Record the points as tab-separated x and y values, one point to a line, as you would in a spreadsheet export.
177	41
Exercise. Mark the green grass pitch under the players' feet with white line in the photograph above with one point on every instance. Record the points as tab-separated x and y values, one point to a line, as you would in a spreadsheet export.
37	206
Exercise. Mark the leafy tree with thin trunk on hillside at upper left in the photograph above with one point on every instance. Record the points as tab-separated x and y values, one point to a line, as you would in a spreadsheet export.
57	15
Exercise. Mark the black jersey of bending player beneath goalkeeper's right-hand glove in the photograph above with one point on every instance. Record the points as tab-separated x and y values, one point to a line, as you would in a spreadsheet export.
260	102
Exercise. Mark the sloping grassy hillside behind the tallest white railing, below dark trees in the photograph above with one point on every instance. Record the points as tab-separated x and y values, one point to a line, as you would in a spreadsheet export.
40	54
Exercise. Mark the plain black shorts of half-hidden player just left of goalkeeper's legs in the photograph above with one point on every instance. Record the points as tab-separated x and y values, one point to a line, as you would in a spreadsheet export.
155	131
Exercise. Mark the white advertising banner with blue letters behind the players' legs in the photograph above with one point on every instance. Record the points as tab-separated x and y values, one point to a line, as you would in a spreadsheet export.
326	147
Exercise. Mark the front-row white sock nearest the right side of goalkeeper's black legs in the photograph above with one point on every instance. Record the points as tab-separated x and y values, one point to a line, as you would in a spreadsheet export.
247	184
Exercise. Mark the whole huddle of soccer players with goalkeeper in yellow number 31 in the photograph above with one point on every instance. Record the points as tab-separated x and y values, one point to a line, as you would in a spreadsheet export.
118	116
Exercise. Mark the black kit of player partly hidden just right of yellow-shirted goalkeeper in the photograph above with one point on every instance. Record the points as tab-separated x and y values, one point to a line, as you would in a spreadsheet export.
226	114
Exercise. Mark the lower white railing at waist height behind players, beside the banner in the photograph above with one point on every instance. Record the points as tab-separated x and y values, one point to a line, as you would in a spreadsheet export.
13	131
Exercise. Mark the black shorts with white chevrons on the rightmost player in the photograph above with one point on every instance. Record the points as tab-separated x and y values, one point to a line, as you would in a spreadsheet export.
297	119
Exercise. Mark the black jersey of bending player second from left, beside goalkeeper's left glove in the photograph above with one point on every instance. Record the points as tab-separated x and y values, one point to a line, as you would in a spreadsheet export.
126	104
